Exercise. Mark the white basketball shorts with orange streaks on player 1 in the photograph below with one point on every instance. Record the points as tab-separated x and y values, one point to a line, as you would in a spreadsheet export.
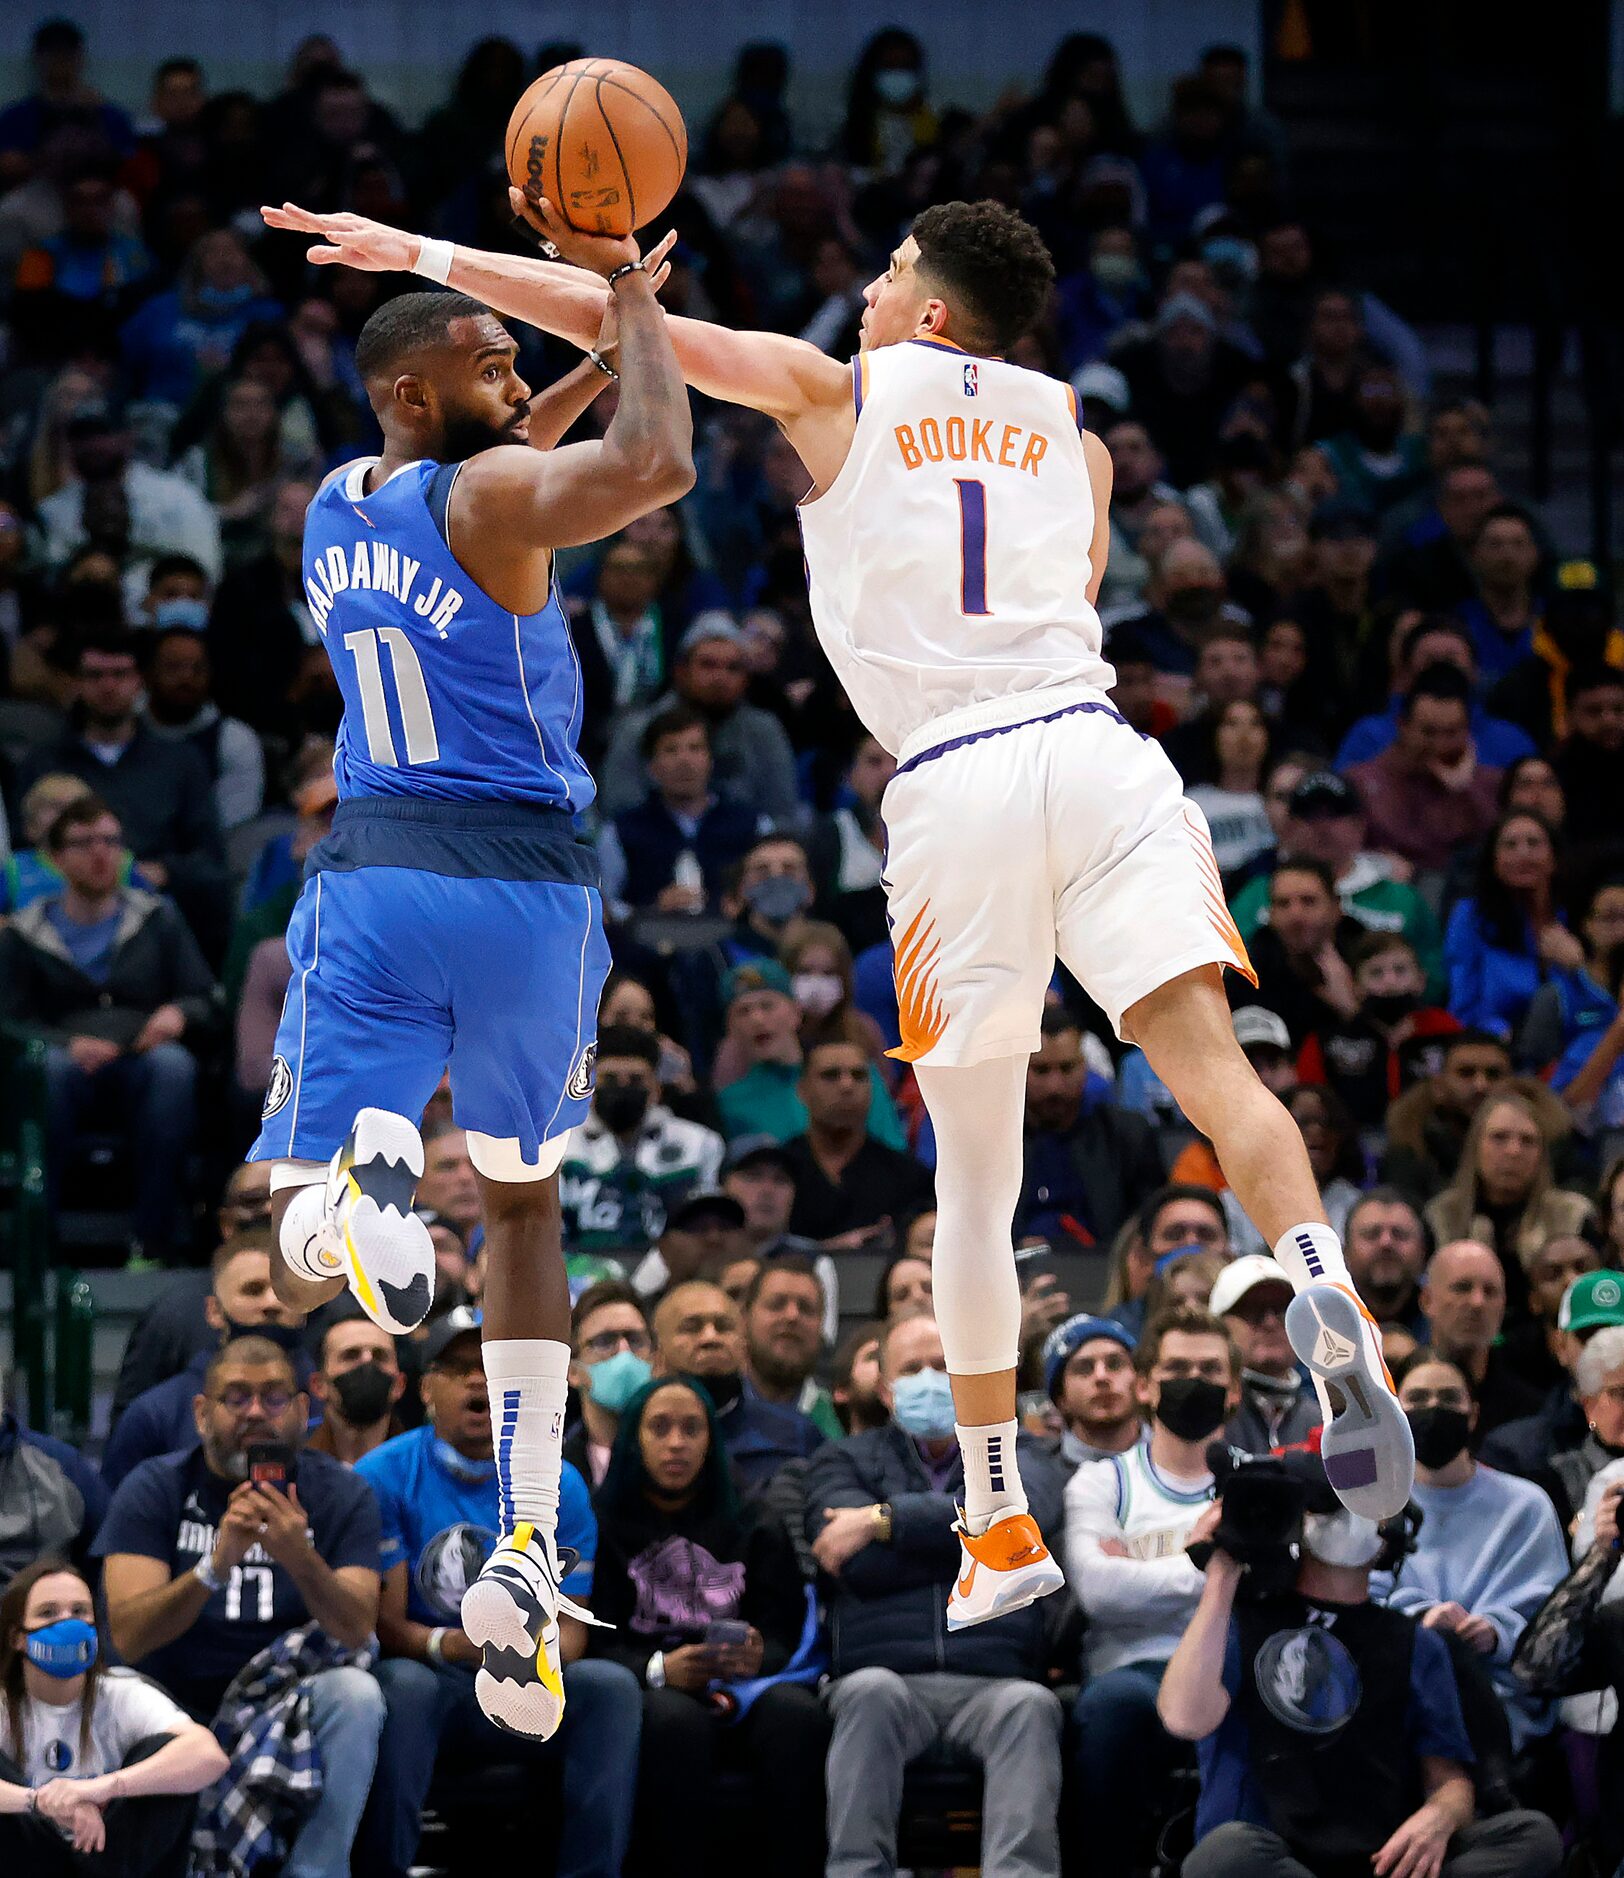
1065	837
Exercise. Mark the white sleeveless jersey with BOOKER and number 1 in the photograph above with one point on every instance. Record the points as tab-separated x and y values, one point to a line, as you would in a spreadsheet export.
949	561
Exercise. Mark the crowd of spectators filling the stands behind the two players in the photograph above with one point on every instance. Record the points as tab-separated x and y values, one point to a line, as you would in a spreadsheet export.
1400	705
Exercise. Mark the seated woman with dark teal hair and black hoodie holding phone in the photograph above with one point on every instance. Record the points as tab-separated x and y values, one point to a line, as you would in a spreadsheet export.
705	1597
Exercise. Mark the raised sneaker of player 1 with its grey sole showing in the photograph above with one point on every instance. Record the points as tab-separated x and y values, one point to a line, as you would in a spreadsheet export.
1368	1447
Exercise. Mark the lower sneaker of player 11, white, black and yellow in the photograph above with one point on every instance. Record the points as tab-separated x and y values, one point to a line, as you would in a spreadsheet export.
512	1612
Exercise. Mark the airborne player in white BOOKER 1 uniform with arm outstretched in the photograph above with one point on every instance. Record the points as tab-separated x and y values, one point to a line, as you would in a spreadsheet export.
957	538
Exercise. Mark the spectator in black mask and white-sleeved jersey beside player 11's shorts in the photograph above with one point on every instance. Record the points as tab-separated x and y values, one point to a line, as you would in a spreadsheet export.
632	1162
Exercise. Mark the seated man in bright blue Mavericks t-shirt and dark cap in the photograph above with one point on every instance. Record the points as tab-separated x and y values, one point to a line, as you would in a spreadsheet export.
437	1490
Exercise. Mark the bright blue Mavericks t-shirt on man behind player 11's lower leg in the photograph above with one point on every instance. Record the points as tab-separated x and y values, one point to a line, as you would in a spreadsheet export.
440	1522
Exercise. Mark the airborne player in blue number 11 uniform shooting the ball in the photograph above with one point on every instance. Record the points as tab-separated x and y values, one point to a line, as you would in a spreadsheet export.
453	917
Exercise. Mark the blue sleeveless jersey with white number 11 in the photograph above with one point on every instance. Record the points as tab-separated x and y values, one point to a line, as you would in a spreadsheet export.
448	698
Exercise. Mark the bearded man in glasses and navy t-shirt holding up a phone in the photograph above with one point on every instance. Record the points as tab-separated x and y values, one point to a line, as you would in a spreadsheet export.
206	1567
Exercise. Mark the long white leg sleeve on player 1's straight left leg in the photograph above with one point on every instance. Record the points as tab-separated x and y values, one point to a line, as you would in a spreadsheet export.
977	1118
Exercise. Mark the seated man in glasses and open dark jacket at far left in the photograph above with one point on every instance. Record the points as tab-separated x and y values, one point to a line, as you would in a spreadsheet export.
114	979
